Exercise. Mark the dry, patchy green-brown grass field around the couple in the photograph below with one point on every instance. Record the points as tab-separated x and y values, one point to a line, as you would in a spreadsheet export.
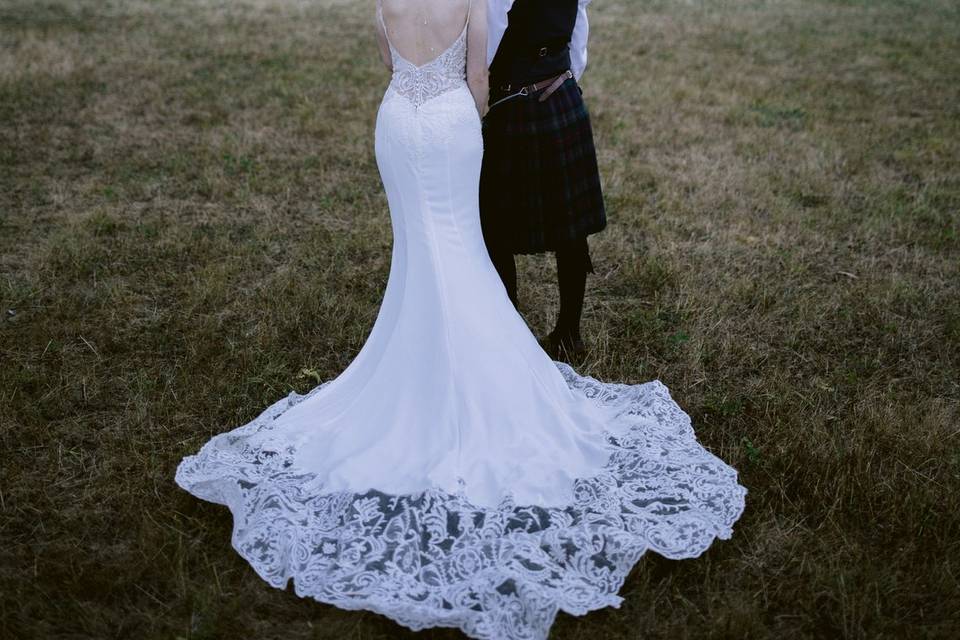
192	225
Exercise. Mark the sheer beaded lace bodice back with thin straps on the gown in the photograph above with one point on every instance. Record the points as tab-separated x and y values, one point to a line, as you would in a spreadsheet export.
420	83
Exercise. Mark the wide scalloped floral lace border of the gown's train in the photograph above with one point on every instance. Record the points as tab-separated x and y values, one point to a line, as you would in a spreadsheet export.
434	559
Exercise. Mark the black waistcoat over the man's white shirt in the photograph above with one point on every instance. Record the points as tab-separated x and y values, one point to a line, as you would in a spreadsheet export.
533	25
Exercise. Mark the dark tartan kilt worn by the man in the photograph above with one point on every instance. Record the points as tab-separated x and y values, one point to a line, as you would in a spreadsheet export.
539	184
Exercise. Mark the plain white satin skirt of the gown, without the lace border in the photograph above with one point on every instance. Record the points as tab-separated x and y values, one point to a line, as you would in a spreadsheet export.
451	388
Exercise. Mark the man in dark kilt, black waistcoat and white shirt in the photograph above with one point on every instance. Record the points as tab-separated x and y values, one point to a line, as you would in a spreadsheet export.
539	186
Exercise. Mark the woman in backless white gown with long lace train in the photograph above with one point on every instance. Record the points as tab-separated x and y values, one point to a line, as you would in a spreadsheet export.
453	474
